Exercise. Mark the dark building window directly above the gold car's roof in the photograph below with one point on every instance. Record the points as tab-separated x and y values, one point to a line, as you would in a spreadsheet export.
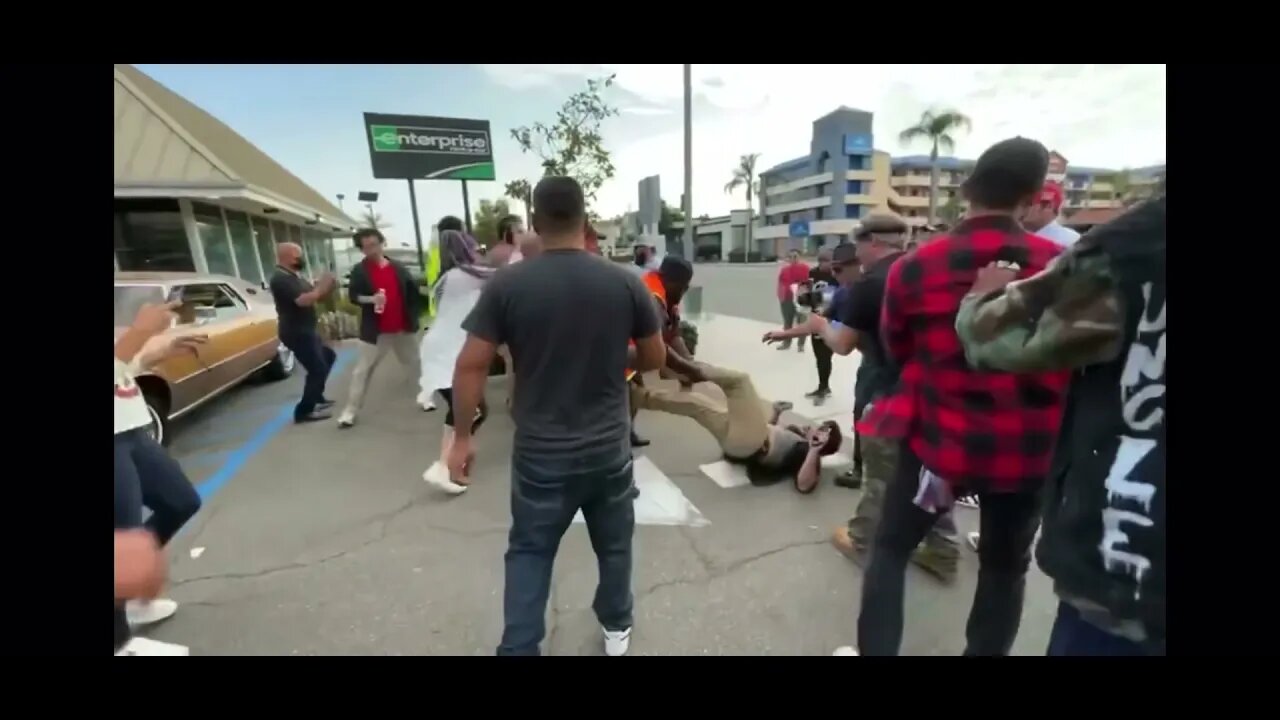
152	236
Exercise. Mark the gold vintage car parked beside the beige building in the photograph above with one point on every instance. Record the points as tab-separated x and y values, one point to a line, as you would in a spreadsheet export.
237	316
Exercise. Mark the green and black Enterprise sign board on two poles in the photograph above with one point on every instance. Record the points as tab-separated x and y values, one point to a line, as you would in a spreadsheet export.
423	148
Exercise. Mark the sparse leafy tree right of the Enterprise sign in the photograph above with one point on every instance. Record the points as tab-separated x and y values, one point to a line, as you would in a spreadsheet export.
573	145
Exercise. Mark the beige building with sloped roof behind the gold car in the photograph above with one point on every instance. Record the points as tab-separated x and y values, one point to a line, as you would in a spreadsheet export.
194	195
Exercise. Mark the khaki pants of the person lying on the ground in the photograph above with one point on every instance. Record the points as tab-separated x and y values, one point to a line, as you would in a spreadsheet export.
740	426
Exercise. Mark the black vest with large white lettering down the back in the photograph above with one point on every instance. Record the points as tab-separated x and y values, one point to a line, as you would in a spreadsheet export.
1104	534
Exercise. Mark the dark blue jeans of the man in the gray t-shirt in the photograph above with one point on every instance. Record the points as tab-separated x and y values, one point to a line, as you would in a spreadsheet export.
545	498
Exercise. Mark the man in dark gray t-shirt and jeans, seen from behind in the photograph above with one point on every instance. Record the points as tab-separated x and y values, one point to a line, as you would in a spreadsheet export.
568	317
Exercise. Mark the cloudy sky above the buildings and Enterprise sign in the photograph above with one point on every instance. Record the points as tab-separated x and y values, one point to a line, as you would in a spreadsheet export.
309	117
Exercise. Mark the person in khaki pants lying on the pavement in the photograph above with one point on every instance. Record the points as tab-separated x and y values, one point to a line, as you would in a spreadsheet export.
746	435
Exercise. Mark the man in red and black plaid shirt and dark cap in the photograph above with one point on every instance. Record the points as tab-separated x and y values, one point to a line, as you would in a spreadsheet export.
963	431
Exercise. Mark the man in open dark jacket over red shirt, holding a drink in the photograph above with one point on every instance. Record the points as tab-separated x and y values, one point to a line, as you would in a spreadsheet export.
390	306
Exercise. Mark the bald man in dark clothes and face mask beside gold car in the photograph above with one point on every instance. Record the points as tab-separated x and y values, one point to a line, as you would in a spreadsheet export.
295	307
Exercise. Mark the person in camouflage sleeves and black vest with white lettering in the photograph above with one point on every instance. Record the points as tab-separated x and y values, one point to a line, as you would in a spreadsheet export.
1098	309
